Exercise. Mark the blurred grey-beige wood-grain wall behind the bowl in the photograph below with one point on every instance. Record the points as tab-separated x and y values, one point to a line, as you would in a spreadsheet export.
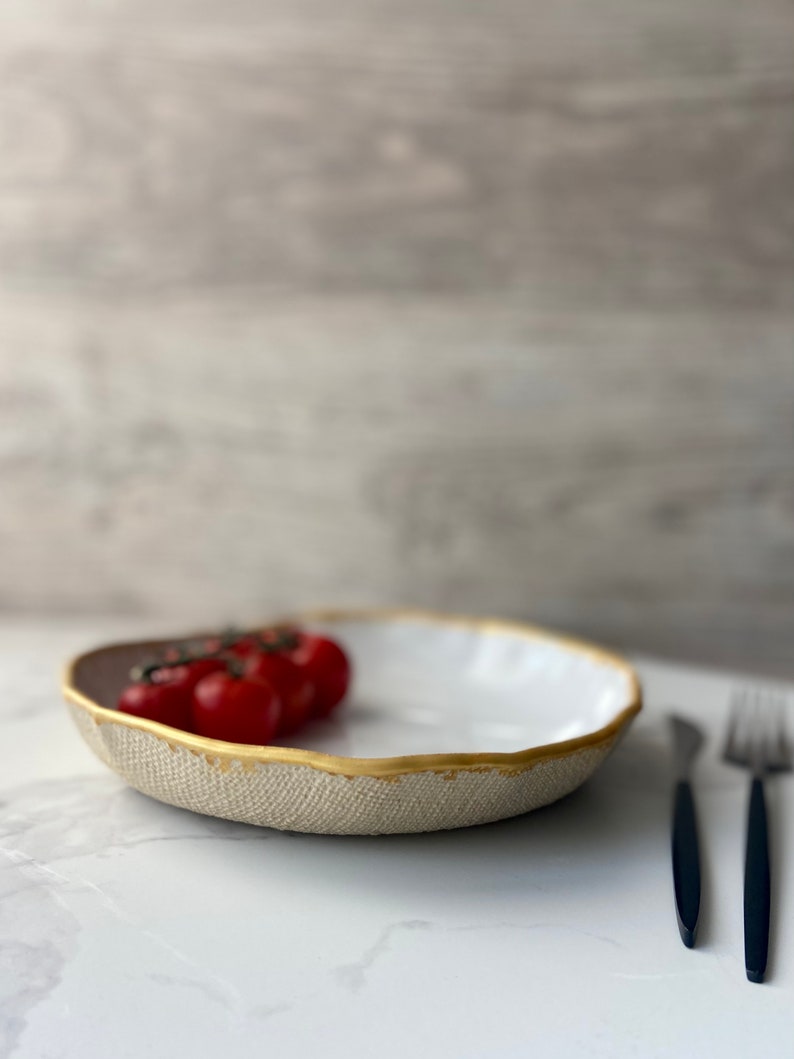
476	306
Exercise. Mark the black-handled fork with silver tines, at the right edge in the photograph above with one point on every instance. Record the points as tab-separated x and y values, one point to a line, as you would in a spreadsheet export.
756	740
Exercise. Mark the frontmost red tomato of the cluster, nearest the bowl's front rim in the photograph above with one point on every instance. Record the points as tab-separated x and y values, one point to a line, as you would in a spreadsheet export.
236	709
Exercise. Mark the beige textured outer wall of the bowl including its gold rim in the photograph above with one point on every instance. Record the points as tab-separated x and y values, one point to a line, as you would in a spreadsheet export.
305	792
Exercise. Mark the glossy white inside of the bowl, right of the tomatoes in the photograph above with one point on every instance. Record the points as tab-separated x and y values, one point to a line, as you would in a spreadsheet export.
427	688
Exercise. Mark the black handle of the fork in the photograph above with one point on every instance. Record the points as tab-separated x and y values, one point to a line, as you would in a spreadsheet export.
757	890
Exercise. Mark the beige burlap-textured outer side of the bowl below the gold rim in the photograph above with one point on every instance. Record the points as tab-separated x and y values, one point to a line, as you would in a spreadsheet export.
300	798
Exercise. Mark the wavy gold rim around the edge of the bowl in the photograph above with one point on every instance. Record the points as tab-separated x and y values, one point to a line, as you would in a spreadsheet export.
215	750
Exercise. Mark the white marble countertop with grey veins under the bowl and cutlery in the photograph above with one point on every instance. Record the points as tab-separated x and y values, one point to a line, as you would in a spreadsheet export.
132	929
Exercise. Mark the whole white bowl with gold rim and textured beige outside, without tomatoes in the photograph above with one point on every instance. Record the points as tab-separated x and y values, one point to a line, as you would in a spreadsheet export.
452	722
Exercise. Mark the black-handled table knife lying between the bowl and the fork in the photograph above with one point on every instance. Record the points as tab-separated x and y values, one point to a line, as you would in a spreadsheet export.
688	741
